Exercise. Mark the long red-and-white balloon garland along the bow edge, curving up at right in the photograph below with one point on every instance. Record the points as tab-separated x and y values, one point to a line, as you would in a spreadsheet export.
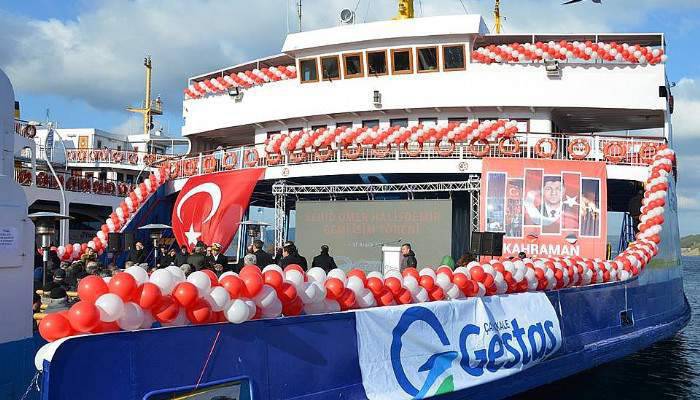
133	300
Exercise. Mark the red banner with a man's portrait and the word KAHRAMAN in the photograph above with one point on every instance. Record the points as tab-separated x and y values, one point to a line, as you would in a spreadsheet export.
546	207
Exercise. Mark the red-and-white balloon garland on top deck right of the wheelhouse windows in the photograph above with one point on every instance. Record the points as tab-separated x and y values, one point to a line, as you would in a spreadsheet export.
569	51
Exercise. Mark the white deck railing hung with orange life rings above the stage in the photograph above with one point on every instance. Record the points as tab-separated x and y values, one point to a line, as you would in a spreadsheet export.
622	150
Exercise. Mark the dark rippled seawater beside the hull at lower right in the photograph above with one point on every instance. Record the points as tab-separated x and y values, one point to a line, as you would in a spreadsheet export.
667	370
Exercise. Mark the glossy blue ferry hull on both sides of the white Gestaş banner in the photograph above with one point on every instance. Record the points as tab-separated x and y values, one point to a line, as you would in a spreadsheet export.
315	357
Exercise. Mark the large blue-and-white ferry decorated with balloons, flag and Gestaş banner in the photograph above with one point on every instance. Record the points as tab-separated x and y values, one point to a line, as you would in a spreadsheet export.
427	131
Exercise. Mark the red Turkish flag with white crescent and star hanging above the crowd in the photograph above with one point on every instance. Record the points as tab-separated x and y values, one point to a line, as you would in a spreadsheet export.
210	207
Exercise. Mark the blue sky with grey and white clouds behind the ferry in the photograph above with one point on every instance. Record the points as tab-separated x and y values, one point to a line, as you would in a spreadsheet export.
82	60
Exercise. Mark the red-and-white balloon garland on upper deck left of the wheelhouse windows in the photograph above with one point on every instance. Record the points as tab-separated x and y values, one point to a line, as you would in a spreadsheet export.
244	80
